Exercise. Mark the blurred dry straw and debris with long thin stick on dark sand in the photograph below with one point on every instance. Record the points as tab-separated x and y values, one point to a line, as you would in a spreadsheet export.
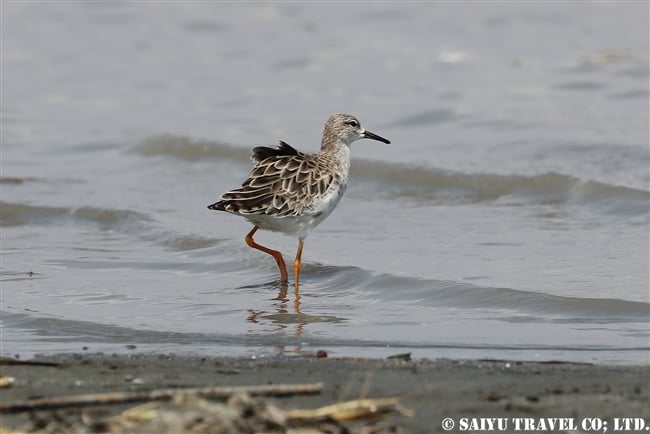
205	410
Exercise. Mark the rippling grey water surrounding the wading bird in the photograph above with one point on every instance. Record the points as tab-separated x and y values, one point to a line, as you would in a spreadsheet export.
508	219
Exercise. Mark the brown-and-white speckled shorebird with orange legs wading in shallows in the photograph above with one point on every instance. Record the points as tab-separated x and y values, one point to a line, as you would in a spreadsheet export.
290	191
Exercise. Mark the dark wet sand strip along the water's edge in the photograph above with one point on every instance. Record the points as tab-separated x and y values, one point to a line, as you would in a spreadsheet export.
434	390
